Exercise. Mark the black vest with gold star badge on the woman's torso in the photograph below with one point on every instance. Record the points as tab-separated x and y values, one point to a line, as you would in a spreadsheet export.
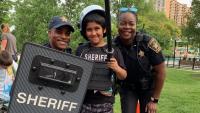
136	59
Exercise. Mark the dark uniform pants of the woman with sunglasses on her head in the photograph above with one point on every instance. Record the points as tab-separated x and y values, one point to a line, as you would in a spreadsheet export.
129	99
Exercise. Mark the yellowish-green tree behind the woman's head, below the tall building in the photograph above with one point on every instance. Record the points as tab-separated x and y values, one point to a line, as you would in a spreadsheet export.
155	23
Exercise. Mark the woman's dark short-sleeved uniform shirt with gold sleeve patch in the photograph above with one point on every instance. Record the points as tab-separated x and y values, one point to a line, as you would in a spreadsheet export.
139	58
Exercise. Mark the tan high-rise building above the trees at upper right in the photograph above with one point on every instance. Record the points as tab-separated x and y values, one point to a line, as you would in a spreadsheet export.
174	10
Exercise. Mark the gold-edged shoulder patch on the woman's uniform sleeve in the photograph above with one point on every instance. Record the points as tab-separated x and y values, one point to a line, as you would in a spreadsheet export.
154	45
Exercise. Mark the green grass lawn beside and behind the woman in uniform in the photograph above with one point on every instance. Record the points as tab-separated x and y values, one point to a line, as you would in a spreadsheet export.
181	93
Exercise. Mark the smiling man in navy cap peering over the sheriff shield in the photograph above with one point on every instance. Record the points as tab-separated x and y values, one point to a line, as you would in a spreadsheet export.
59	33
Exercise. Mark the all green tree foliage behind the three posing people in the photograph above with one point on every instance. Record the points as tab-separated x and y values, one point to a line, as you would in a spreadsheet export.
32	16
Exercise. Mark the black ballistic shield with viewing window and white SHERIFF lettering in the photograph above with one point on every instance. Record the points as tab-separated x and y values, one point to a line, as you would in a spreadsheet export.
49	81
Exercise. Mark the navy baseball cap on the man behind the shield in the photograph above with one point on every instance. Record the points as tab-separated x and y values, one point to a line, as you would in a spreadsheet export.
58	21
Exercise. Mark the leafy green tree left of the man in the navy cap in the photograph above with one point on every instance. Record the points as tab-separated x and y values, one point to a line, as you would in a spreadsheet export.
31	20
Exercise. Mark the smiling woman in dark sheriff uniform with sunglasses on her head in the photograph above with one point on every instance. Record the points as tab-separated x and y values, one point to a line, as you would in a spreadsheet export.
141	54
